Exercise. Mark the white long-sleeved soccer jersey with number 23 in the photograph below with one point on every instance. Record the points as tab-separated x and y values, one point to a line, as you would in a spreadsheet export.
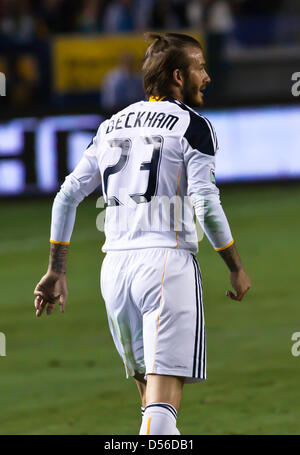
151	158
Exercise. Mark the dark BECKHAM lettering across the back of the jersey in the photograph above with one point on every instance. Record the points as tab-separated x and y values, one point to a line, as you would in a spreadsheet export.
141	120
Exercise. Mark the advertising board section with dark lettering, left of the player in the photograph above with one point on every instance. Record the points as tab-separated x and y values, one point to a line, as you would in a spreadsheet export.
36	154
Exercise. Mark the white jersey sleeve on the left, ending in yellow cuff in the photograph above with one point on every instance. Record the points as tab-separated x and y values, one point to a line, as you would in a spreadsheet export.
80	183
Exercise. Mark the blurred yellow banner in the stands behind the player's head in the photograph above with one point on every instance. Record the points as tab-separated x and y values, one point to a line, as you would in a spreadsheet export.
81	62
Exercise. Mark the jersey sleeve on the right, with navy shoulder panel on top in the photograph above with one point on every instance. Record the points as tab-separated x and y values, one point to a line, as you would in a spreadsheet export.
200	146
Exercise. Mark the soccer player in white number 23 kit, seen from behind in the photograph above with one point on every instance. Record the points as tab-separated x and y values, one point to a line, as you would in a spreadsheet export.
156	162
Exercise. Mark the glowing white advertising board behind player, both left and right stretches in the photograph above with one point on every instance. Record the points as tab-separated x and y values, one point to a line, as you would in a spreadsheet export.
254	144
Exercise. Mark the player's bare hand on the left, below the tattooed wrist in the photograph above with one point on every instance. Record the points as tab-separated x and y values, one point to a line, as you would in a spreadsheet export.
51	288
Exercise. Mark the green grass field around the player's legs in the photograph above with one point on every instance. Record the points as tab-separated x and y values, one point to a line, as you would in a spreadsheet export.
62	374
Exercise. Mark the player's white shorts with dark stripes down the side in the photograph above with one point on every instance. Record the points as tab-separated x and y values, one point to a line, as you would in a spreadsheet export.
153	298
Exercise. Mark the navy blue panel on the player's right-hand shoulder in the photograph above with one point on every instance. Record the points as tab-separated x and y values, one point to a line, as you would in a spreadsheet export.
200	134
